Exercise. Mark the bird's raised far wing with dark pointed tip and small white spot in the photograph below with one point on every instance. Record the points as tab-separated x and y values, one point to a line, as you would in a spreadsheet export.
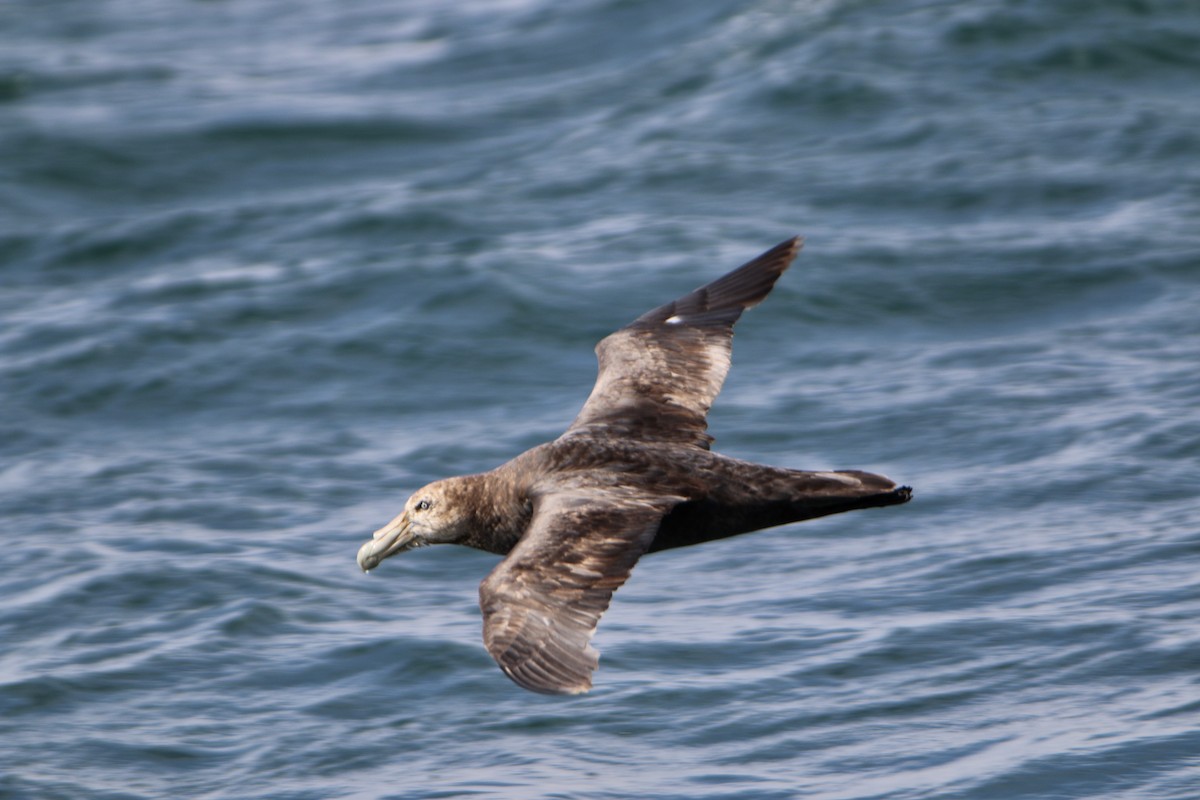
661	375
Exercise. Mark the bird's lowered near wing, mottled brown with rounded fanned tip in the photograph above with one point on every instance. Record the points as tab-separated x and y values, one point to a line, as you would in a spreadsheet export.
543	603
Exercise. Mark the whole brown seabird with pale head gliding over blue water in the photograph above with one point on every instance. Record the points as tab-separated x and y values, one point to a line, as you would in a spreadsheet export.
634	474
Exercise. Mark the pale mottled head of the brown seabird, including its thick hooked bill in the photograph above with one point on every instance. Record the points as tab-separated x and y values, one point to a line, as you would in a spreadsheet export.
435	515
